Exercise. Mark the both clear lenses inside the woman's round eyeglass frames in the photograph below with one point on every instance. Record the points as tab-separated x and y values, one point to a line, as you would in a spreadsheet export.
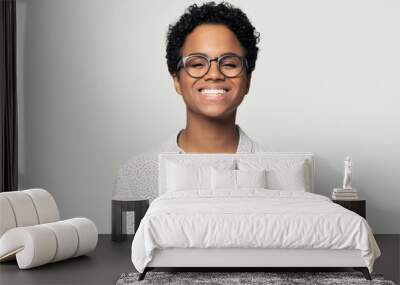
198	66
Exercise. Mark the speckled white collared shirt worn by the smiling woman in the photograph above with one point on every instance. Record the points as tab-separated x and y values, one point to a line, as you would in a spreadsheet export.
137	179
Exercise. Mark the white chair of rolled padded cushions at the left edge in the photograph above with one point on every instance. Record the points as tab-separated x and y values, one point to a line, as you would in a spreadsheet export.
31	232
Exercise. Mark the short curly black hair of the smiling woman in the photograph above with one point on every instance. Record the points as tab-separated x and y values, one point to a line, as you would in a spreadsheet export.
211	13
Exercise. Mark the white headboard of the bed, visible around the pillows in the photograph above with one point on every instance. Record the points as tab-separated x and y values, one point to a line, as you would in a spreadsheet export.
200	159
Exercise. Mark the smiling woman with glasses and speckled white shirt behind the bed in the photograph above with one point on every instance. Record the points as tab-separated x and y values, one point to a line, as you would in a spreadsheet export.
211	53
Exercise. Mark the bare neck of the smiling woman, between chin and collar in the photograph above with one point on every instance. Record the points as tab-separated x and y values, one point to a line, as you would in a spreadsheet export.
205	136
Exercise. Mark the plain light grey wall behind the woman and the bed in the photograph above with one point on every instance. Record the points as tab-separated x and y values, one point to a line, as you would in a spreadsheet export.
94	90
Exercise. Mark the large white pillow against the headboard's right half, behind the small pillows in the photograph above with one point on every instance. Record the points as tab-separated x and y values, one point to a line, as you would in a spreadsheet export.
282	174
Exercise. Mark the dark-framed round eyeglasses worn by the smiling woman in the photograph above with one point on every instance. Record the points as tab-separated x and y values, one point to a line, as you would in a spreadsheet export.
230	65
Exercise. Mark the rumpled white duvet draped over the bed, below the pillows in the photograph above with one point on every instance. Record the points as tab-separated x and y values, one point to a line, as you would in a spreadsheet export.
251	218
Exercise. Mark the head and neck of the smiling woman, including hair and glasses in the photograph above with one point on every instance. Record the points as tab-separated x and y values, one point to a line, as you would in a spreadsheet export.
212	92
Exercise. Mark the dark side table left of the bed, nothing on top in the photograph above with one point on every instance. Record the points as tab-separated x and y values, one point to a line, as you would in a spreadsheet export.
118	216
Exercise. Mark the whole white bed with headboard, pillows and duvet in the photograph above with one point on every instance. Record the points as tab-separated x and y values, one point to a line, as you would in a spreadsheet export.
193	225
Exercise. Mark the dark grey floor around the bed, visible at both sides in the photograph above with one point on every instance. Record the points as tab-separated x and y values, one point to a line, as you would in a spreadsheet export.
110	260
